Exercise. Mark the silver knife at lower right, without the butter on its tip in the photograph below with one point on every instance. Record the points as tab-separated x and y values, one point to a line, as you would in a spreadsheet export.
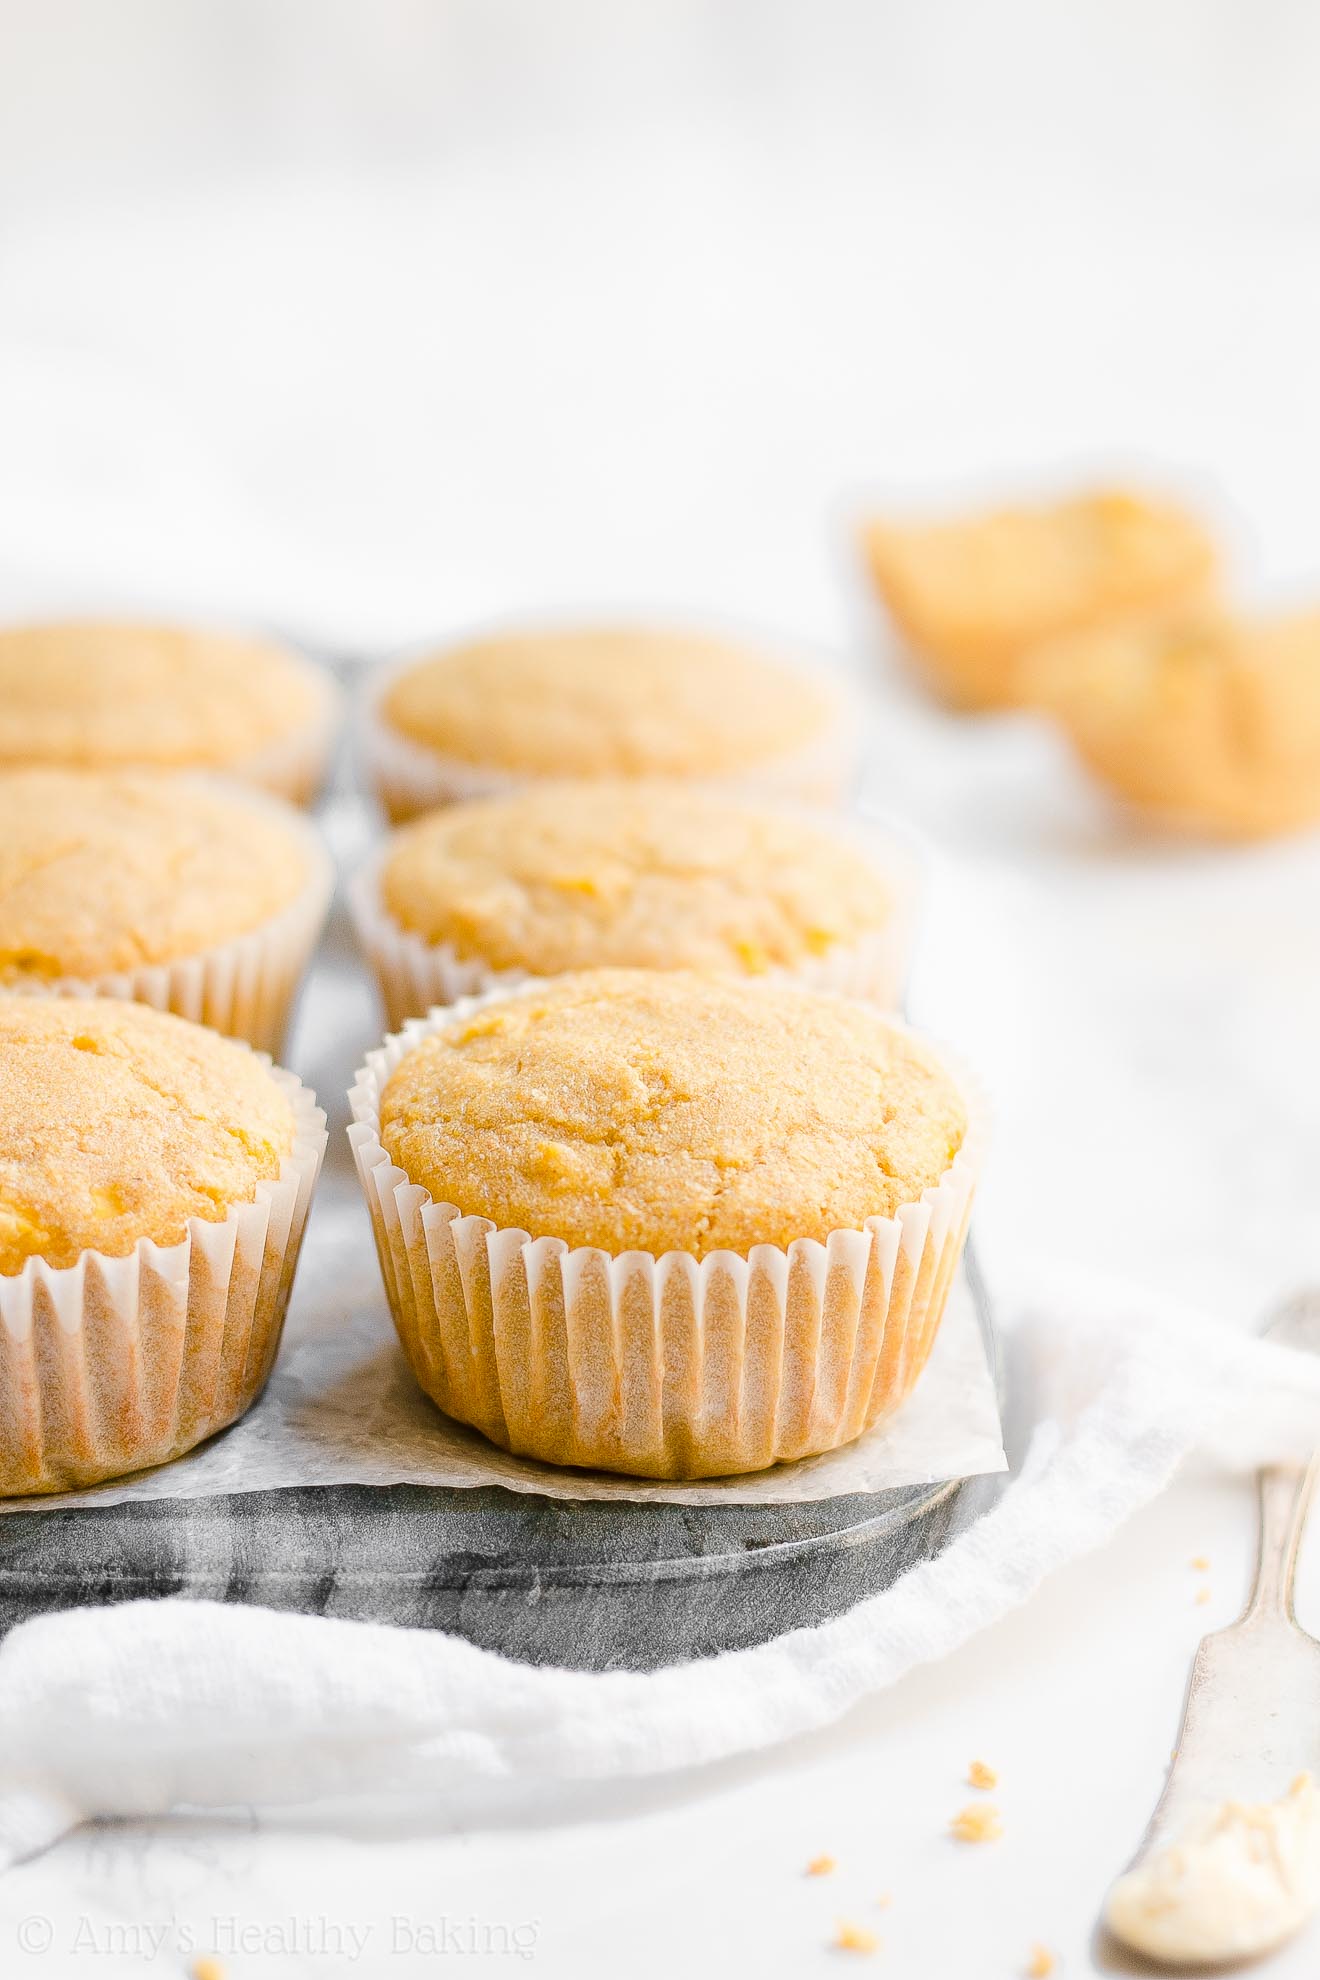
1252	1722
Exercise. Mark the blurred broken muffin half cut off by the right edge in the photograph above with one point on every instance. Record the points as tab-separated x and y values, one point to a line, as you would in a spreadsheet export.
1206	718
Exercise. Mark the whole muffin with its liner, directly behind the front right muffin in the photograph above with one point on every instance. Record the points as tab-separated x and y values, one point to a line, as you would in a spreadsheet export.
662	876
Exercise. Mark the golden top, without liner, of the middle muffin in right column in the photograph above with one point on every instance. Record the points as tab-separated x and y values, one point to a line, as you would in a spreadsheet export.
567	876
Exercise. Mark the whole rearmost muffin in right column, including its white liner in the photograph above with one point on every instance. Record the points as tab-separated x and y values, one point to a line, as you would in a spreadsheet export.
605	702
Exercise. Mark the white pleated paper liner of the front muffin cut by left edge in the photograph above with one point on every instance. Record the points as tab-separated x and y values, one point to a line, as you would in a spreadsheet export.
122	1363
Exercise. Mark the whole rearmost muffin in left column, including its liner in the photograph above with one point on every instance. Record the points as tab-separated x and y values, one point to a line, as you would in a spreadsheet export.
112	696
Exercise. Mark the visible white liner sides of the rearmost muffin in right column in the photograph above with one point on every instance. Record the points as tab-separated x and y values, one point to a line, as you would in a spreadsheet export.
411	779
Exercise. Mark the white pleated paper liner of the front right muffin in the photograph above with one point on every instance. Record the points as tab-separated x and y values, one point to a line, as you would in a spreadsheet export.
658	1367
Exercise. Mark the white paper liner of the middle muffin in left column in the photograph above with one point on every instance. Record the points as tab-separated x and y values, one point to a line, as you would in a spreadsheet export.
242	987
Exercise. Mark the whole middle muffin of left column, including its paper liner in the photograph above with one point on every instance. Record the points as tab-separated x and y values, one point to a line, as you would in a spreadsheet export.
173	890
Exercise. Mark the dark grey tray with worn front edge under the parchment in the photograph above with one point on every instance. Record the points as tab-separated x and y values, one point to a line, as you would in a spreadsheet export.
591	1585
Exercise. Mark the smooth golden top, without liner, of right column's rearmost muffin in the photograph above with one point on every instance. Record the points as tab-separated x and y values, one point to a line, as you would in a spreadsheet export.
609	702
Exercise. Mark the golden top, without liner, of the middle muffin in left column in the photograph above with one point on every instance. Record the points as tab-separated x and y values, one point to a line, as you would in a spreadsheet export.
114	870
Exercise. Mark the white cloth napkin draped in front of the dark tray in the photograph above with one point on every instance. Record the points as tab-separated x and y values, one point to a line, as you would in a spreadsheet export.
157	1706
